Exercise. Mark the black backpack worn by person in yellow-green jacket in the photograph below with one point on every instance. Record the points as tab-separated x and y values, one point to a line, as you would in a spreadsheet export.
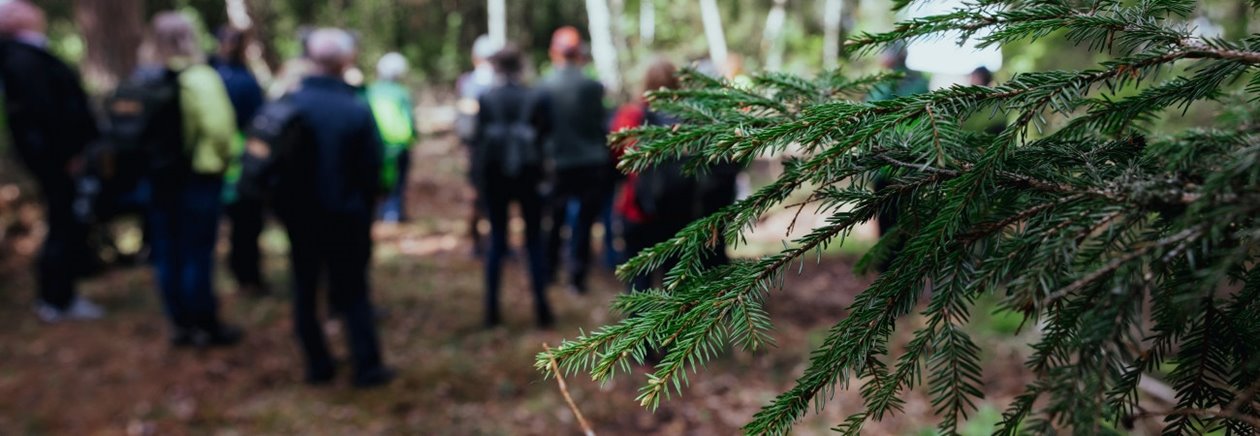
144	133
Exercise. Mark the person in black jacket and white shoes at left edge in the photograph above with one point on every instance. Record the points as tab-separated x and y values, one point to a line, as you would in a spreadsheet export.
51	124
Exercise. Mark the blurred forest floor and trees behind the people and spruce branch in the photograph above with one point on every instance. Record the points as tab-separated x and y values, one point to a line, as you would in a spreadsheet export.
119	376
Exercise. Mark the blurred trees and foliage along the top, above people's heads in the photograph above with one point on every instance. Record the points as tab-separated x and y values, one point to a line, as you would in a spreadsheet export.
794	36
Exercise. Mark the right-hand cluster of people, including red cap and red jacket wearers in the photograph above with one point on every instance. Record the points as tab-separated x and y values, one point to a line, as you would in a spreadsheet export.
546	149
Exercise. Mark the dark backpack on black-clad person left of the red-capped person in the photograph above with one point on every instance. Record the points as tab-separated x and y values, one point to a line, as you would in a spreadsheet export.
511	144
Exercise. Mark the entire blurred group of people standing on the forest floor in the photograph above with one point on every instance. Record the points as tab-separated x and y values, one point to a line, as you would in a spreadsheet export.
328	159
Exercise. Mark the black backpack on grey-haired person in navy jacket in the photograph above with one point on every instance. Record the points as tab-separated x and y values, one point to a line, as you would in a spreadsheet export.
272	169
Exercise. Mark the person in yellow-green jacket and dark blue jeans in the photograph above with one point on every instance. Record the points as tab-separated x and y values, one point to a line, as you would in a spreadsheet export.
188	182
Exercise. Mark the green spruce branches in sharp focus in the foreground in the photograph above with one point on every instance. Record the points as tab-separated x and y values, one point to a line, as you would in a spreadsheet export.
1130	250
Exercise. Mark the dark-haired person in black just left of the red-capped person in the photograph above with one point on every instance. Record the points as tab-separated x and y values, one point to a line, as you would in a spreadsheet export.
508	167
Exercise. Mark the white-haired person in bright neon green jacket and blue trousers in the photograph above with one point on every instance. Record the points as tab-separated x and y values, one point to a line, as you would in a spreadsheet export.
392	106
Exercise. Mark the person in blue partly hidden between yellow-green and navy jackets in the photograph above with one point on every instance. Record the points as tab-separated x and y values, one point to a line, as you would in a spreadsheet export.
245	214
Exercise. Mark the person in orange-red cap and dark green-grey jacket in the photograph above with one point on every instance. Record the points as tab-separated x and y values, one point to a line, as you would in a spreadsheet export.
578	152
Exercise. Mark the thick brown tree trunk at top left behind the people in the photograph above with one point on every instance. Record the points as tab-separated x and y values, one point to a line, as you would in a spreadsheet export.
113	32
